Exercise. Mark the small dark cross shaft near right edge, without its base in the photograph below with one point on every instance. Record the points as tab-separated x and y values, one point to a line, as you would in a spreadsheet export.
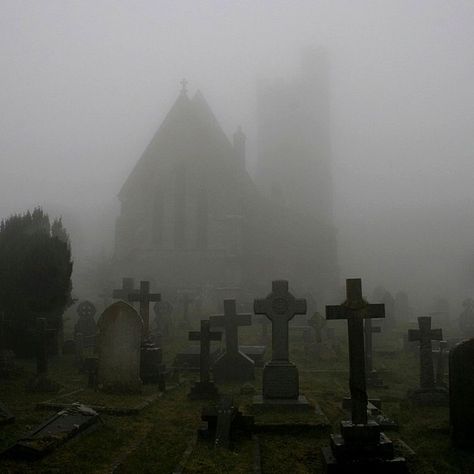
425	335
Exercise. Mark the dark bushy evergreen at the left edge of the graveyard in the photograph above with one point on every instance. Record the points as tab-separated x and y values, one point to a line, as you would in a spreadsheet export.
35	275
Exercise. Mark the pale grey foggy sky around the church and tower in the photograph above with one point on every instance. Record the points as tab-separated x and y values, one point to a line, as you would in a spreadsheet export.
85	85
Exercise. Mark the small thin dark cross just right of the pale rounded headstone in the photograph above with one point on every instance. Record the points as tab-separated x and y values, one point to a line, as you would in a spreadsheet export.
205	388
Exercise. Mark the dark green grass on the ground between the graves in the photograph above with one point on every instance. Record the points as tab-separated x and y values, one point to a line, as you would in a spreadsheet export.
154	440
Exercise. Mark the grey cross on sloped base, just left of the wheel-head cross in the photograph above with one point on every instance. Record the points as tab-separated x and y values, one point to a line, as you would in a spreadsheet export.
232	365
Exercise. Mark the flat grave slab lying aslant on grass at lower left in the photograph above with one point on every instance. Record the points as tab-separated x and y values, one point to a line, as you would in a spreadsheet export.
55	431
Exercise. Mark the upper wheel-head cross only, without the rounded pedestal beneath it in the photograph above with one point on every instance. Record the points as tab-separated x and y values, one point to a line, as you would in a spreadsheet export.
280	306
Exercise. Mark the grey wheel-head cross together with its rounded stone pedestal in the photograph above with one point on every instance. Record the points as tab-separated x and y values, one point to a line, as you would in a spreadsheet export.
280	376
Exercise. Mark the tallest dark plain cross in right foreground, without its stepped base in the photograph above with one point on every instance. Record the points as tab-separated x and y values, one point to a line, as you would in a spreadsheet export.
355	309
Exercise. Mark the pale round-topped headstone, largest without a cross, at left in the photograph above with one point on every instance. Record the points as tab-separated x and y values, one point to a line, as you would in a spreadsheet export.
119	342
